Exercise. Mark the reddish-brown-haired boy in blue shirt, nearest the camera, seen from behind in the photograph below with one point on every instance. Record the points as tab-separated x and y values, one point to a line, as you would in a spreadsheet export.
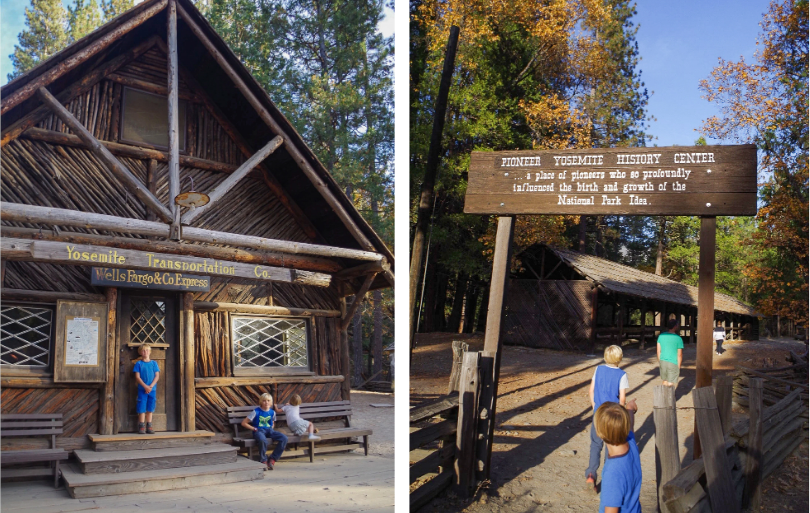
621	479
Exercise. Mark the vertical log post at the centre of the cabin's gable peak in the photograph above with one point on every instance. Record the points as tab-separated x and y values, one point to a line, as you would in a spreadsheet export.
174	133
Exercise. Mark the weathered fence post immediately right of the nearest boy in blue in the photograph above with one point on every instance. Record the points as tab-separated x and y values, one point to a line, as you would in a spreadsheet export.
667	459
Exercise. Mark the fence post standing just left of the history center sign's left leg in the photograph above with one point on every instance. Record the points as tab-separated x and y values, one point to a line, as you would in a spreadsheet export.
465	433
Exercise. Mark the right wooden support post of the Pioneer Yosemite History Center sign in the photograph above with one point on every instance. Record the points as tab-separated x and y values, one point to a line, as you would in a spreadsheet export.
705	342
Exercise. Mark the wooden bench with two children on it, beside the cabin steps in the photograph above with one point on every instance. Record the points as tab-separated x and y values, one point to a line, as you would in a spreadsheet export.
311	412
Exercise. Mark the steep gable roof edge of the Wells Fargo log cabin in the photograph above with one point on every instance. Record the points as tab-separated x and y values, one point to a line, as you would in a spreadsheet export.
311	193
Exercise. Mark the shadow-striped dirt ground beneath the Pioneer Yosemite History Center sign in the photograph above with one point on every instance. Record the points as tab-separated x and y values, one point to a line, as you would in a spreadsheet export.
543	420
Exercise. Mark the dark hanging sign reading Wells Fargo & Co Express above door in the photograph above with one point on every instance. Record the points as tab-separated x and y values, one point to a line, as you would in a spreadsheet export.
152	280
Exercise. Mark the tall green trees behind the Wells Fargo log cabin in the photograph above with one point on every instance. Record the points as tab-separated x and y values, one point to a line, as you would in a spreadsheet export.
327	68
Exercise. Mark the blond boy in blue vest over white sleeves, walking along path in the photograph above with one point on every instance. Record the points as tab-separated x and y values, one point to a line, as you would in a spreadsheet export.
609	383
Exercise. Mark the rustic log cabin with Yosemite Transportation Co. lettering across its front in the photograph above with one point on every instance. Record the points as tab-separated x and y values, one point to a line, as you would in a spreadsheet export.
104	247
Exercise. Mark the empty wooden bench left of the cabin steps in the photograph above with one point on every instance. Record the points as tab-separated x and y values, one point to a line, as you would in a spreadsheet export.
28	425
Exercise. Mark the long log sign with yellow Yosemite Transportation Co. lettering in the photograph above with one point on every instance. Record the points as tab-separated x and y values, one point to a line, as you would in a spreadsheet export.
80	254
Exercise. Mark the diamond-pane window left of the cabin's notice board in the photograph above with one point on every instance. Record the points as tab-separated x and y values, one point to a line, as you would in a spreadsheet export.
26	336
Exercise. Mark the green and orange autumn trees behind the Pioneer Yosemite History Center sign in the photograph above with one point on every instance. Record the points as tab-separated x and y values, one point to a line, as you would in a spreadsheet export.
567	75
